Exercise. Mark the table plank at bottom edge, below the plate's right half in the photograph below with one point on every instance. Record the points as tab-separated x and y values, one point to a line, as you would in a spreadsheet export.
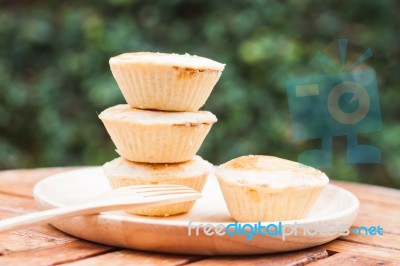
301	257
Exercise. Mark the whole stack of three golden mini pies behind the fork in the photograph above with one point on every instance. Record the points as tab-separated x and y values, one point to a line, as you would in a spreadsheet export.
158	133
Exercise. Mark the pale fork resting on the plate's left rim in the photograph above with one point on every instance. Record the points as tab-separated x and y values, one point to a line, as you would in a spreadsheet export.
130	197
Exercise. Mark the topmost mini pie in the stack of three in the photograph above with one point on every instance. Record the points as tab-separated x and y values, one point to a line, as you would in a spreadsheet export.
168	82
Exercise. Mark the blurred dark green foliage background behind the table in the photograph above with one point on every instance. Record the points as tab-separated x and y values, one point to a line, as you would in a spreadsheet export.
55	77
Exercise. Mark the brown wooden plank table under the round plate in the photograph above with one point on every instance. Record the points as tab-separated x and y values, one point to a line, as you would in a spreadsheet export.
45	245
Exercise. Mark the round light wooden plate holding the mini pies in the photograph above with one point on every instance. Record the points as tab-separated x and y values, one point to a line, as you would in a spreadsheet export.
335	207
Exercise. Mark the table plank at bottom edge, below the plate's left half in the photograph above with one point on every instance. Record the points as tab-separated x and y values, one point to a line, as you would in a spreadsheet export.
130	257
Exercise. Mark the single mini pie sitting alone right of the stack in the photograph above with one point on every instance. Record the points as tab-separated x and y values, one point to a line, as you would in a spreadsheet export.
265	188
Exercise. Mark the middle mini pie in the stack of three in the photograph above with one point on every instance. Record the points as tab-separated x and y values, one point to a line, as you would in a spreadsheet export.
156	136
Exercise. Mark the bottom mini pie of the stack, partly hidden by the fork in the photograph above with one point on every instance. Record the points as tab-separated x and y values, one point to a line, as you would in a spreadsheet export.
193	174
